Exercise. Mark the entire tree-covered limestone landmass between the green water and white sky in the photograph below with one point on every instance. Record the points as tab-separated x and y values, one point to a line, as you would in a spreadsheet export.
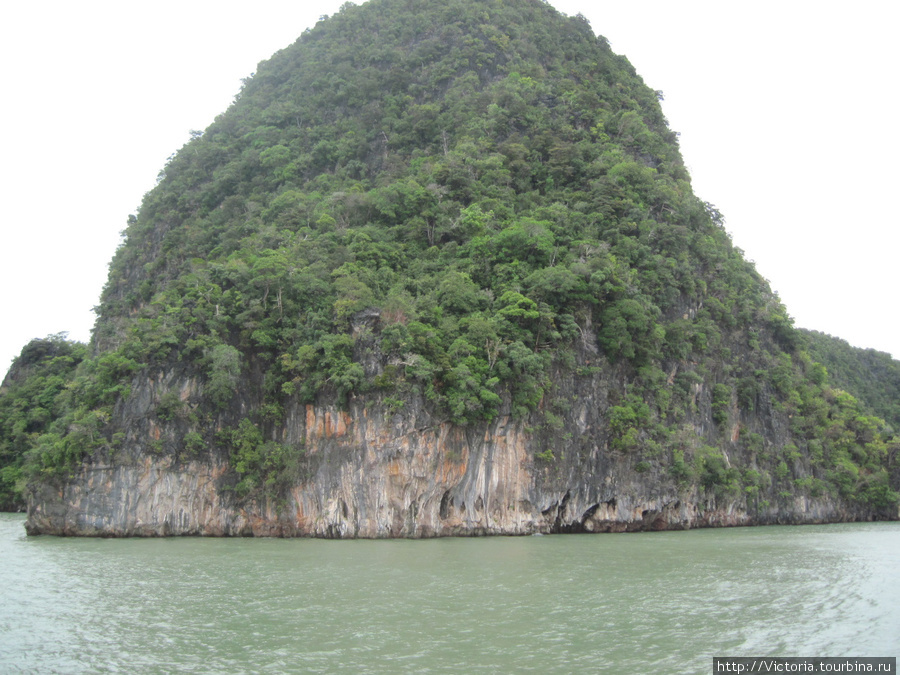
439	270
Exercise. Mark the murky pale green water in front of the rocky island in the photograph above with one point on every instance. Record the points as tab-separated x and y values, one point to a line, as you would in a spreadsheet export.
618	603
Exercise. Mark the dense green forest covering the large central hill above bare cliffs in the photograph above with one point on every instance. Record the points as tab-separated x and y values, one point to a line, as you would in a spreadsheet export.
458	203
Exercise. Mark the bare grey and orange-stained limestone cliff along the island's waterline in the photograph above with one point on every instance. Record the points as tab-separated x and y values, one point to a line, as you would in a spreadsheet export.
369	473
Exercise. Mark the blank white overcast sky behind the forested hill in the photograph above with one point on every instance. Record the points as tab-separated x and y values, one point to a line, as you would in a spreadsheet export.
786	112
